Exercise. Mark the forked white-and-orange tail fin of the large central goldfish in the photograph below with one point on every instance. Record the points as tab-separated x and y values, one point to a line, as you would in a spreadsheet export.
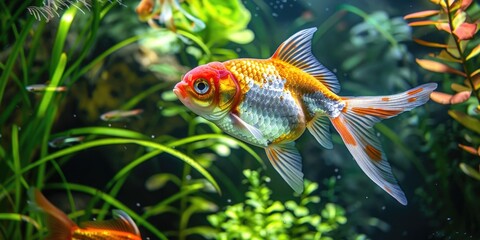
355	124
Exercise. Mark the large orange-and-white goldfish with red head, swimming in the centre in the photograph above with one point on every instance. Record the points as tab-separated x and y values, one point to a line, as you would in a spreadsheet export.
270	102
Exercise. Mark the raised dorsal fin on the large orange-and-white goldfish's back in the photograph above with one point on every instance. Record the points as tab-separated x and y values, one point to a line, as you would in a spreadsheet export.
297	50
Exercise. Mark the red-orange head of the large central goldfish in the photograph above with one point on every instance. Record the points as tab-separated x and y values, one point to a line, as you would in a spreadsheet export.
210	91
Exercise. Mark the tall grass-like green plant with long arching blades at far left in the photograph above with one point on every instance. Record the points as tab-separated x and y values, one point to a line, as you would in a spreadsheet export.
26	134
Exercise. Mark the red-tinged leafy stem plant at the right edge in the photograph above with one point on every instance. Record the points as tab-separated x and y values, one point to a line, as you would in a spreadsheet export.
459	57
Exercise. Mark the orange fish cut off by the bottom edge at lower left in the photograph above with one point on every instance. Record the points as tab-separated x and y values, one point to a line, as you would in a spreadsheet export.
59	226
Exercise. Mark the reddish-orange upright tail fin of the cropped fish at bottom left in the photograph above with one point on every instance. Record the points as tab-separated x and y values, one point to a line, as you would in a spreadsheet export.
58	224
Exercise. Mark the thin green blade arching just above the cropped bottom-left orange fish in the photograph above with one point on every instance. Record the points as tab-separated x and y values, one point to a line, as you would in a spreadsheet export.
112	201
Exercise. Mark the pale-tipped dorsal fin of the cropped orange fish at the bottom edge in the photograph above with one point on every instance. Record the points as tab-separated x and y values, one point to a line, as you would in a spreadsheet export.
121	222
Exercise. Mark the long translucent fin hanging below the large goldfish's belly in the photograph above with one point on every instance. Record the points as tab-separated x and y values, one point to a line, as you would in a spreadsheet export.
286	159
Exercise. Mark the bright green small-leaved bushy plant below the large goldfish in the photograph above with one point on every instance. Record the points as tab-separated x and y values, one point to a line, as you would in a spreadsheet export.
261	217
